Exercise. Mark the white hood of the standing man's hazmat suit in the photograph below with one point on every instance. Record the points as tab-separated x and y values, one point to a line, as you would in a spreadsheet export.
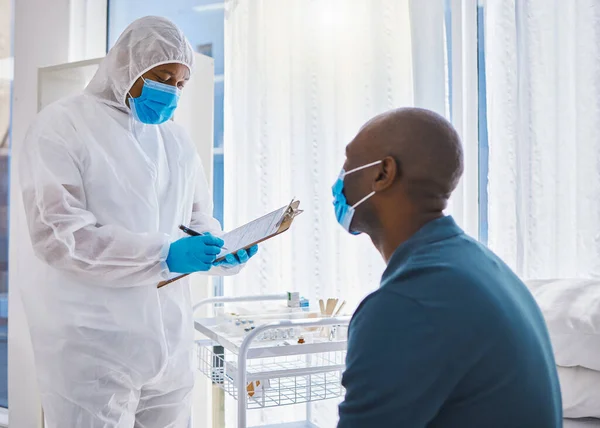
145	43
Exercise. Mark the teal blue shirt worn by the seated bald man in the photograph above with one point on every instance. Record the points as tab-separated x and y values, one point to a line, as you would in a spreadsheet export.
451	339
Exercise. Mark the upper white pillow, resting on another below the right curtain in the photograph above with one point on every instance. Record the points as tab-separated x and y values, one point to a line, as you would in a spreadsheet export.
572	312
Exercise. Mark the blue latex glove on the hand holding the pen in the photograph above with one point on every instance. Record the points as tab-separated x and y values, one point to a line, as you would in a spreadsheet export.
194	254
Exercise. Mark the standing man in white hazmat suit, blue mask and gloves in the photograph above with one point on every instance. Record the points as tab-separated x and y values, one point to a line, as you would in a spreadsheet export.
106	181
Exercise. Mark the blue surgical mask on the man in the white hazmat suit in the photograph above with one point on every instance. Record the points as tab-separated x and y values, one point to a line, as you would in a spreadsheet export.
156	104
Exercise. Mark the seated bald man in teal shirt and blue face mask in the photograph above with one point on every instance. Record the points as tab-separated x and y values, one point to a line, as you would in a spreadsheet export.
452	338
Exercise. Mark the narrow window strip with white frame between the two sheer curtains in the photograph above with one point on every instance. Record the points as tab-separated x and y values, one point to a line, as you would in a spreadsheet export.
467	110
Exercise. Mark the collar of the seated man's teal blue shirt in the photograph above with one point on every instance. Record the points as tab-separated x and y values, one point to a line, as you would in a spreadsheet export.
434	231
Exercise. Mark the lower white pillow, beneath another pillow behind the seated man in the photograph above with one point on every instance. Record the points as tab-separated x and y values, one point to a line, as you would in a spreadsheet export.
580	390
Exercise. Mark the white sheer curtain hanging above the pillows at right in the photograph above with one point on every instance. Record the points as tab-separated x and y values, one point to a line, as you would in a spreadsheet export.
543	81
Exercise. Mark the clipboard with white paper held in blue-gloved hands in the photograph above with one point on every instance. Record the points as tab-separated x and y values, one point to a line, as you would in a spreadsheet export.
255	232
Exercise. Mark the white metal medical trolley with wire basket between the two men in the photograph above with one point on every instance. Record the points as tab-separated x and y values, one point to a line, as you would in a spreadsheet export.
261	373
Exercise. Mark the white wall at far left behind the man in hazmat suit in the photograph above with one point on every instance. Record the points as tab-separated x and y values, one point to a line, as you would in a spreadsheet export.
43	35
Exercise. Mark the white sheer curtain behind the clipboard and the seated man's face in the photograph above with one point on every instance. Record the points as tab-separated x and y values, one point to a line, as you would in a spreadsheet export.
301	77
